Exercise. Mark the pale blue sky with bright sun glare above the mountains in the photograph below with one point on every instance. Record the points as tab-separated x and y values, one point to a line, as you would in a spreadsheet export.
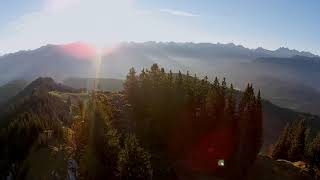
29	24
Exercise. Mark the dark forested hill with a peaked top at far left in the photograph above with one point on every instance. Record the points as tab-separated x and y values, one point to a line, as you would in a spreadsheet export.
28	120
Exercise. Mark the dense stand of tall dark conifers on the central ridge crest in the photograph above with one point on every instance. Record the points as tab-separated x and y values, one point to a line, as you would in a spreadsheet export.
169	102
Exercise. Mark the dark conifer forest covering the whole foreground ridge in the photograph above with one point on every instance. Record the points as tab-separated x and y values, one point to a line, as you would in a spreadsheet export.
162	126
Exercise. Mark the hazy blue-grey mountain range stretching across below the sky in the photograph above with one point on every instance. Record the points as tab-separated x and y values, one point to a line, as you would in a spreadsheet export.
286	77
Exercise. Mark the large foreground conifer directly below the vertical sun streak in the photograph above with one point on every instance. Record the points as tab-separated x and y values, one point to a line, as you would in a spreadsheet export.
98	143
